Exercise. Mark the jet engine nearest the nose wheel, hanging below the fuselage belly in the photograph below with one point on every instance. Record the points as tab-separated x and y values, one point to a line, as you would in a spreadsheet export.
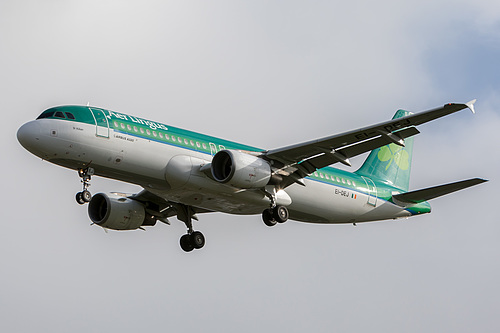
118	212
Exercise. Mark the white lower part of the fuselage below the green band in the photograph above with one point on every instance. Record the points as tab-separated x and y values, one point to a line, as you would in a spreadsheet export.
173	173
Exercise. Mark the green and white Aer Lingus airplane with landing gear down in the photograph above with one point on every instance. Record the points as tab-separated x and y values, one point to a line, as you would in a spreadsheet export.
184	173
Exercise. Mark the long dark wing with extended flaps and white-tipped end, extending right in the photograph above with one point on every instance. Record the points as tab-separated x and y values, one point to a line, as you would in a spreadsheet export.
298	161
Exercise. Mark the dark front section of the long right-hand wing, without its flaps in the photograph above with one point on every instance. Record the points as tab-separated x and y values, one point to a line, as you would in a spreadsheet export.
298	152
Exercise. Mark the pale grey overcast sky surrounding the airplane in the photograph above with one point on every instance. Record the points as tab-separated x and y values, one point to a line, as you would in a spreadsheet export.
268	74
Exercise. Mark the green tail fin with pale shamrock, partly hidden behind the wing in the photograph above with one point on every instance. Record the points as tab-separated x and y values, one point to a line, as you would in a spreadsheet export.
390	164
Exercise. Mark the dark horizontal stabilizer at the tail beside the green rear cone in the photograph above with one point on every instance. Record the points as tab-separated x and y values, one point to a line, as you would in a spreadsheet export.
418	196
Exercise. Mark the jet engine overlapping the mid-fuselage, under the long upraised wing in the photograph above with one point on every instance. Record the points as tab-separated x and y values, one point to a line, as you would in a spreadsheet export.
240	169
